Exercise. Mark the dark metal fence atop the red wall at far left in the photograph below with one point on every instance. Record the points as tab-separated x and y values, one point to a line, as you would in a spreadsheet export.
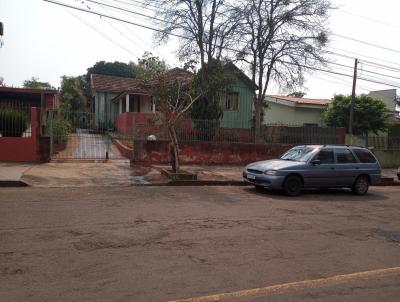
15	120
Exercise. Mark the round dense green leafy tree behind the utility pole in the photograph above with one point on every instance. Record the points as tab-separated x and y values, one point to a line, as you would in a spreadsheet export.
370	114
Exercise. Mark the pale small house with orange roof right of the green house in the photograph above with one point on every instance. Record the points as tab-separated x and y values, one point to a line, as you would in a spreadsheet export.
289	110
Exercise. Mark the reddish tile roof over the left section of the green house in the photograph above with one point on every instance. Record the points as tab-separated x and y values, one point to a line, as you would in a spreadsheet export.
105	83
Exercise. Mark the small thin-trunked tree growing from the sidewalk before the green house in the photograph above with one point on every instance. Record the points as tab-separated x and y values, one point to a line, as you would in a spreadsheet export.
173	97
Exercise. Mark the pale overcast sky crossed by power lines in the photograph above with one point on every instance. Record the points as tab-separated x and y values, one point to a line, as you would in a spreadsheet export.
48	41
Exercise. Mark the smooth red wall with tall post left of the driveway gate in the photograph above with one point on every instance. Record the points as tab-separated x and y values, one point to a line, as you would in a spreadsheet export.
23	149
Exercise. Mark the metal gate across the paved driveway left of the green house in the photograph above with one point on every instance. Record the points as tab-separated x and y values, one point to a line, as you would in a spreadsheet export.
78	136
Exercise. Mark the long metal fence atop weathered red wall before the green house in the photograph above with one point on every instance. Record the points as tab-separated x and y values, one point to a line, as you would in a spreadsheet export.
211	130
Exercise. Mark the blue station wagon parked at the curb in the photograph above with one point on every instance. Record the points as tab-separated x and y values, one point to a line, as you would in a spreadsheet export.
317	166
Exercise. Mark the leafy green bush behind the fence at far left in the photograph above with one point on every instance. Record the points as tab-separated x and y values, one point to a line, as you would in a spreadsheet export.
13	122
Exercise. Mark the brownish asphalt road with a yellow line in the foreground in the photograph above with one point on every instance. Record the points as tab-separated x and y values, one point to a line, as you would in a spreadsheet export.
171	243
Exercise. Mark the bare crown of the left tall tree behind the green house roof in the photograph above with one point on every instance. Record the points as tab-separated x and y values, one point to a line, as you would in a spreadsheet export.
205	27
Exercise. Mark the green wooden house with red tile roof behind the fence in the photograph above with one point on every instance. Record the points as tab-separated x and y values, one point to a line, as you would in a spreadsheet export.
115	96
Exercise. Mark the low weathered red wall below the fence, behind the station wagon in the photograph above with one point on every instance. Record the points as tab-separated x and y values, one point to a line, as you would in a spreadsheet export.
207	152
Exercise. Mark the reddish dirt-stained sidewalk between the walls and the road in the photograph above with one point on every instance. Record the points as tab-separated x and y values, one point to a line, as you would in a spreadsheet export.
120	173
